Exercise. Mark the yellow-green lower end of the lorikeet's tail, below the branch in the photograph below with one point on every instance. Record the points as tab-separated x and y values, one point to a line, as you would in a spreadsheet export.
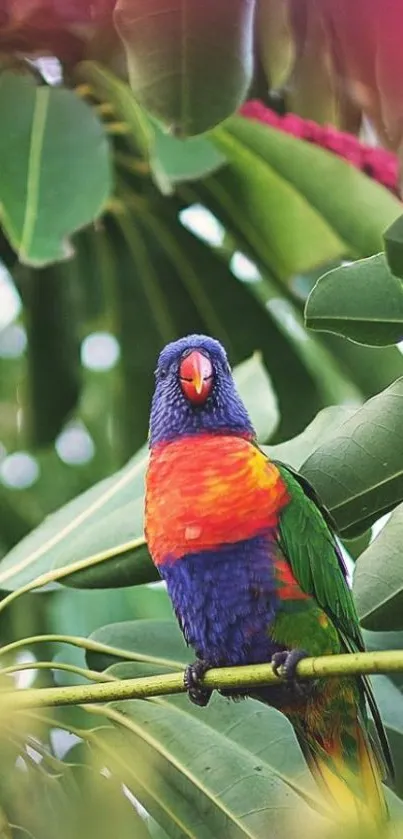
350	774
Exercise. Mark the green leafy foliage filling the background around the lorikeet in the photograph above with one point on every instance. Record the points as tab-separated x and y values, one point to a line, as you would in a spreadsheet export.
117	237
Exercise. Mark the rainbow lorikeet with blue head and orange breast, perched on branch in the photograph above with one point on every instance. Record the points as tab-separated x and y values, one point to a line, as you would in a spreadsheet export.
253	569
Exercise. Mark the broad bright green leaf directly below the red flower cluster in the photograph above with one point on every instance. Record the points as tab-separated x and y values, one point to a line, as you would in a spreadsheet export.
270	169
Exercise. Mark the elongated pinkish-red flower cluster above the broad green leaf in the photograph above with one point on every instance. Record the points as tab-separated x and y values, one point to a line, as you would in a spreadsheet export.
379	164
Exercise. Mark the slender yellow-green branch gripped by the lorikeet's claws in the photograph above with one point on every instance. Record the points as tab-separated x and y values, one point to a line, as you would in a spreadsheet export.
226	677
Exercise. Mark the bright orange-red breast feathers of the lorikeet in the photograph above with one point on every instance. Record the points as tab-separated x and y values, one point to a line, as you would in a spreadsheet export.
207	491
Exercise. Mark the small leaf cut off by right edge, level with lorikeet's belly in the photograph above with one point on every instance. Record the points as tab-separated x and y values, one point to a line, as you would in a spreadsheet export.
378	578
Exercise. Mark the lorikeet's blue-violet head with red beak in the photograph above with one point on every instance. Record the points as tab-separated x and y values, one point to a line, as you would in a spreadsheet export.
195	392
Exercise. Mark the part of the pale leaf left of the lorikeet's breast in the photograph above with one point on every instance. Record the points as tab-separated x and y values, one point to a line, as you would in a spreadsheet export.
107	515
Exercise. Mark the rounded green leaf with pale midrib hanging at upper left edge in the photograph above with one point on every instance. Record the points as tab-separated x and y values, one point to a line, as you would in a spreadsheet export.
38	150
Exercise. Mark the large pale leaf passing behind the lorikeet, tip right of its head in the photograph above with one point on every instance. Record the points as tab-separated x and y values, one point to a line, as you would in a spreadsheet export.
97	540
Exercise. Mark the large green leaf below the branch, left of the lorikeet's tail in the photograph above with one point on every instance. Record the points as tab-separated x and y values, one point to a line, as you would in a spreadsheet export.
230	791
